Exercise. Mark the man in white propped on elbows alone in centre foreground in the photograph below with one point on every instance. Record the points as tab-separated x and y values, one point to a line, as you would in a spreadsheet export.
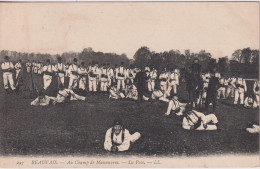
118	138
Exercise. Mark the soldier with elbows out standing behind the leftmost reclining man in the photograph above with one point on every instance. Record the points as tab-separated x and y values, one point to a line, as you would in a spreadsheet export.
48	71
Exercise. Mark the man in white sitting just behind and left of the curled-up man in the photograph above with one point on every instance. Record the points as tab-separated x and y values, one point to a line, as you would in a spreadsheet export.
175	106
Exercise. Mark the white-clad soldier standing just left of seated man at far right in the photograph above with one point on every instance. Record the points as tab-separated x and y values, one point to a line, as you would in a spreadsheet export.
240	90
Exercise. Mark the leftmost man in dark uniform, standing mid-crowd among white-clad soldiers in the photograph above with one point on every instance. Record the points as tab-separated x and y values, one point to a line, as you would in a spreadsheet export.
140	80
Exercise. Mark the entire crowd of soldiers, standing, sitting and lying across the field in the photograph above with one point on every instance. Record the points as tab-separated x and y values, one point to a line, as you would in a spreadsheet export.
122	82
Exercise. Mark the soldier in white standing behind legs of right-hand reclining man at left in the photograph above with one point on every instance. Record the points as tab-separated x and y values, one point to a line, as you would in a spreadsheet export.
73	71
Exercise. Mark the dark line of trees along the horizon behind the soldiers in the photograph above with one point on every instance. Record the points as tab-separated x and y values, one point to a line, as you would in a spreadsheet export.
242	60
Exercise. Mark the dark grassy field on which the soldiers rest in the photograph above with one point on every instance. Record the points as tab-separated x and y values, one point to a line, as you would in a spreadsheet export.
79	127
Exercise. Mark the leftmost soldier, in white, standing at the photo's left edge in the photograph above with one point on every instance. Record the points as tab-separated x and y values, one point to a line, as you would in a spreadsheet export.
8	70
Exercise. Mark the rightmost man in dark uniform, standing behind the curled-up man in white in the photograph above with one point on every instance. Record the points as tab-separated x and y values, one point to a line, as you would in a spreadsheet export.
212	92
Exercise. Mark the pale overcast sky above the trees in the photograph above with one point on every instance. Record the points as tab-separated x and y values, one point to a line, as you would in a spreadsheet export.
218	27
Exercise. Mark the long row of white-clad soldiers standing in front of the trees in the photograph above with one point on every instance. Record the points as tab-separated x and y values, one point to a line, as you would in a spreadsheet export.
121	81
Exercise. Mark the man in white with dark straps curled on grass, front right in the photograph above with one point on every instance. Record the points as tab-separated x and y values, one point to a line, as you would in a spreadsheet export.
194	120
